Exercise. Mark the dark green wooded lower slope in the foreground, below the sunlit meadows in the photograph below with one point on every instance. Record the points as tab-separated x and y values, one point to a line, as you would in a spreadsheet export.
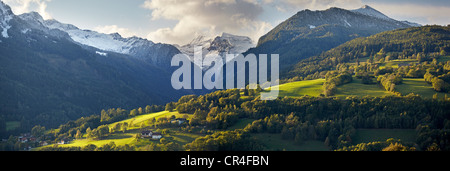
331	121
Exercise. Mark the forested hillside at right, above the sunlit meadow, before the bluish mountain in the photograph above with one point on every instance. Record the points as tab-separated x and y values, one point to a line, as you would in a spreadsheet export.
391	45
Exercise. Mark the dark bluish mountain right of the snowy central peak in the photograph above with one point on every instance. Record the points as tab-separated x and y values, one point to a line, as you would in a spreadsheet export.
309	33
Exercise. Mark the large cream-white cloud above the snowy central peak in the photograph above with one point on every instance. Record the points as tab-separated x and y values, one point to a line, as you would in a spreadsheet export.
206	17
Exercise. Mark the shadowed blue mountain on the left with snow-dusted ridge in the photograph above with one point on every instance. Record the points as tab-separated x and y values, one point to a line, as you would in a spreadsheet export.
53	72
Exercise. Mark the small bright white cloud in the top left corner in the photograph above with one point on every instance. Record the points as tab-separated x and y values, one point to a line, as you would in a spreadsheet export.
25	6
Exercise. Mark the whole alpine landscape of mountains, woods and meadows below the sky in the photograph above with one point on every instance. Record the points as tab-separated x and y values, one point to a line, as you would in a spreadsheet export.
351	80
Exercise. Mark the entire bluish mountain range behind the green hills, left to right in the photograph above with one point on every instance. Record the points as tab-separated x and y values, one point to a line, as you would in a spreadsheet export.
51	72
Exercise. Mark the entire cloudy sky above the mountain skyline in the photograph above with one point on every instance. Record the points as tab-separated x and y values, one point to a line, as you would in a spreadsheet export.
180	21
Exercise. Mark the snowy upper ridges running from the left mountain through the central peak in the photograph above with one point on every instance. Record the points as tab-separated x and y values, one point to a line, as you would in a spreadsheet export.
155	53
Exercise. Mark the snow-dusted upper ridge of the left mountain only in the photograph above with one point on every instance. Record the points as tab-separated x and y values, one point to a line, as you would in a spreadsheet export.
139	48
